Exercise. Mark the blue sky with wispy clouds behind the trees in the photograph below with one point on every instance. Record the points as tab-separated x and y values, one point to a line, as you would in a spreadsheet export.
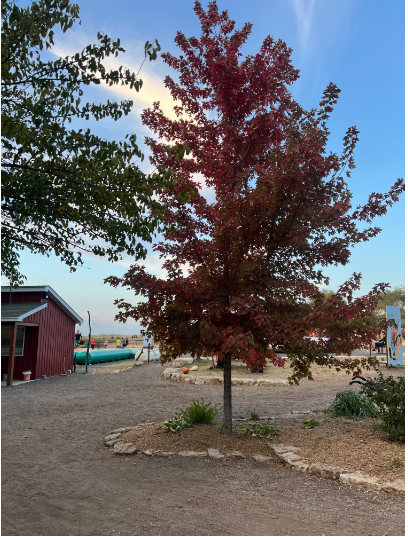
356	44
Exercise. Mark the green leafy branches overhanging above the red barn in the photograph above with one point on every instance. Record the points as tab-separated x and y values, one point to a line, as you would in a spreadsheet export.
63	186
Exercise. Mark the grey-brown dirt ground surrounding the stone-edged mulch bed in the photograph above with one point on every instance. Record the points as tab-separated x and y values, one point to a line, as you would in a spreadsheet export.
59	479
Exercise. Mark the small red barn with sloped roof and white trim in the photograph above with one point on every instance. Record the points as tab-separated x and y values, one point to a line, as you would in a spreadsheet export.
37	332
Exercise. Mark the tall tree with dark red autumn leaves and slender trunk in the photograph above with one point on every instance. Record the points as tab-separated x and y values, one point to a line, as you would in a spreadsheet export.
245	260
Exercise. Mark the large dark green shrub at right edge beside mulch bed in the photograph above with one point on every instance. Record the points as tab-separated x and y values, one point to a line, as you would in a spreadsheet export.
388	394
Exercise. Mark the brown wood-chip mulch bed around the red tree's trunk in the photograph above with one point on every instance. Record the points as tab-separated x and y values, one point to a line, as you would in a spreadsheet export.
349	444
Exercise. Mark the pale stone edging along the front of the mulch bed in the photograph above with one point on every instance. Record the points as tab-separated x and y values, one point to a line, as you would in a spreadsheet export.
280	453
